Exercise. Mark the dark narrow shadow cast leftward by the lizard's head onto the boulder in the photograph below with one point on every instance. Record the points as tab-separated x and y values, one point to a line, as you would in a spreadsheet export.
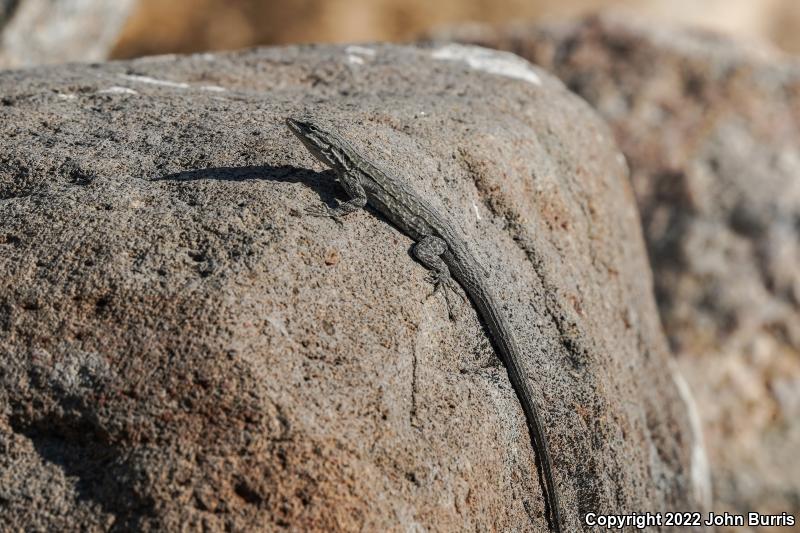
324	184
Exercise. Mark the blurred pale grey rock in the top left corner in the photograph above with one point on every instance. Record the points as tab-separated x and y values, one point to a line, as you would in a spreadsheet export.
54	31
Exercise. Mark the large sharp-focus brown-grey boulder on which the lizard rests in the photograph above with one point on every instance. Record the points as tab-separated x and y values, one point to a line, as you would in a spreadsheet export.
182	347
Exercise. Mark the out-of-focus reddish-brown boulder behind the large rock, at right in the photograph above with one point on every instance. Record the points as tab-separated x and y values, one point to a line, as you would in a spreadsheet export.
711	130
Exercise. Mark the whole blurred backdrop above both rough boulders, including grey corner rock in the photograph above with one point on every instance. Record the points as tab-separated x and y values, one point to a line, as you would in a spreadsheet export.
52	31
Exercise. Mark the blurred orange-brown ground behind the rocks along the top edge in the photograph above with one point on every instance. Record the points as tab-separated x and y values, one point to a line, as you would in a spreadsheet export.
190	25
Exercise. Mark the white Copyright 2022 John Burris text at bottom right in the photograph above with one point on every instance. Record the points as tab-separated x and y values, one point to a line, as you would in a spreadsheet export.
641	521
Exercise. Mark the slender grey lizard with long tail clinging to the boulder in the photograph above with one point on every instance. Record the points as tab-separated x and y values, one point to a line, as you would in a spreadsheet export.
442	251
